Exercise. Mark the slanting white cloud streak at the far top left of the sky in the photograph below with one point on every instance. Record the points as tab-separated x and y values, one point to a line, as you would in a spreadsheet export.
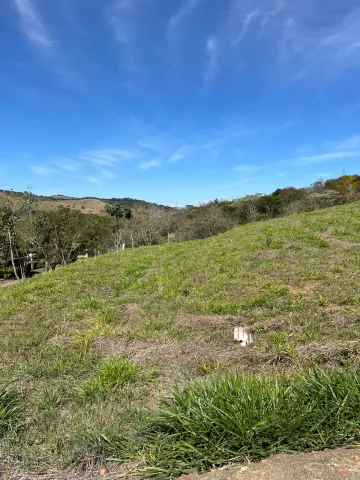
32	25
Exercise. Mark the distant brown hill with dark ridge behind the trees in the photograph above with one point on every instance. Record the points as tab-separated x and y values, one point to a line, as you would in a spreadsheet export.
92	205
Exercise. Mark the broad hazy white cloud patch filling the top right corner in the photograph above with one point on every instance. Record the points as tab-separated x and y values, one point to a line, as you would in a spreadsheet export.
300	38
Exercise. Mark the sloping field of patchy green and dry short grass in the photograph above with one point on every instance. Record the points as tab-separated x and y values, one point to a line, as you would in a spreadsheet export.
171	310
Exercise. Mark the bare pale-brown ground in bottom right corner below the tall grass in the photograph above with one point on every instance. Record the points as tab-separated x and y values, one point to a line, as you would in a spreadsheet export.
342	463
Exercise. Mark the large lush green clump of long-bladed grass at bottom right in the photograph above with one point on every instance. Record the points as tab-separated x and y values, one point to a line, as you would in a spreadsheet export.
236	418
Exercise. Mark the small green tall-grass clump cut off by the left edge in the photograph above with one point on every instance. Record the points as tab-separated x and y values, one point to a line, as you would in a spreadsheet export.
10	410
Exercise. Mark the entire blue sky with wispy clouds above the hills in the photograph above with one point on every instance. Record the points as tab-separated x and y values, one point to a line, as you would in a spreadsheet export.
177	101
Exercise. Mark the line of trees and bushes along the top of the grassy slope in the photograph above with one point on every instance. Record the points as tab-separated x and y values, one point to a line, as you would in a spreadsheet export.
32	239
